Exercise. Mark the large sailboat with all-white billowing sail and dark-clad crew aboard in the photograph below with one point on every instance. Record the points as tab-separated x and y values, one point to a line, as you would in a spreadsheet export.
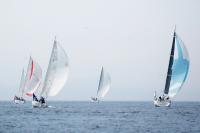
56	76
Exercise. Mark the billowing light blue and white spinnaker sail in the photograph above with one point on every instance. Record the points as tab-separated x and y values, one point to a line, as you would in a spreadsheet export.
180	67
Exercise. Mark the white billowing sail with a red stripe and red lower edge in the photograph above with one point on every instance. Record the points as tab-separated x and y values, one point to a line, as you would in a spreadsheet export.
33	77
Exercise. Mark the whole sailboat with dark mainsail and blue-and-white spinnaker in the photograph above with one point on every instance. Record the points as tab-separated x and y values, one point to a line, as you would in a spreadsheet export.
177	72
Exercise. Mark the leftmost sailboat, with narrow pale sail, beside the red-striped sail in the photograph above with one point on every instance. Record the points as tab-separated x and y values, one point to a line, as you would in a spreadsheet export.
19	99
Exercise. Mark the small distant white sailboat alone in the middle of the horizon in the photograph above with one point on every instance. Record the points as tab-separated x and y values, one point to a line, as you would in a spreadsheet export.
104	86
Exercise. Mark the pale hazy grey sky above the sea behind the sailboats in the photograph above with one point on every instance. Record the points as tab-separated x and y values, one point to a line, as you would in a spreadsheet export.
131	39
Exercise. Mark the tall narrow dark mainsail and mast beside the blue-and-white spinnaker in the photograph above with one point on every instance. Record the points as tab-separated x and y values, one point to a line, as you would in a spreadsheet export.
169	73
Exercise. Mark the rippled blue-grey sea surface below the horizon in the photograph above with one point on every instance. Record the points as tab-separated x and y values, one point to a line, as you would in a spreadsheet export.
105	117
